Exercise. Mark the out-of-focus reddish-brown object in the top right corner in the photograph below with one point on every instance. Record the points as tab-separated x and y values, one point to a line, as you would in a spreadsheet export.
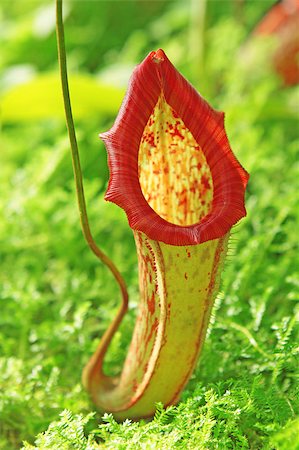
282	20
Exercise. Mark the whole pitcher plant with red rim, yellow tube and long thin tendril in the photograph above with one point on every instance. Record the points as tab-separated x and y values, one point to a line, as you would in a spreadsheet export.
173	172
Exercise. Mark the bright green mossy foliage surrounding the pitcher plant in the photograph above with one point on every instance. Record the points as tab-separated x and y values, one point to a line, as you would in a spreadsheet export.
56	299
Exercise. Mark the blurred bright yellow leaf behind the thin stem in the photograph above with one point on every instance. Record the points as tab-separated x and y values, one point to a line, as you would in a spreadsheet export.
41	98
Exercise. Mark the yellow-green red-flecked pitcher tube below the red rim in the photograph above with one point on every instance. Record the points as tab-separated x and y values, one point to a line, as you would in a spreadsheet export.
177	290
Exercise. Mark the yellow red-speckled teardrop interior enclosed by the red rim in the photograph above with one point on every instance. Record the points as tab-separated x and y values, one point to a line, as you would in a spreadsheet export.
174	176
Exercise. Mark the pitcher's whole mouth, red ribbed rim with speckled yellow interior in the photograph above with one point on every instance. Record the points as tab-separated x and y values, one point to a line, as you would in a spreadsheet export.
171	166
